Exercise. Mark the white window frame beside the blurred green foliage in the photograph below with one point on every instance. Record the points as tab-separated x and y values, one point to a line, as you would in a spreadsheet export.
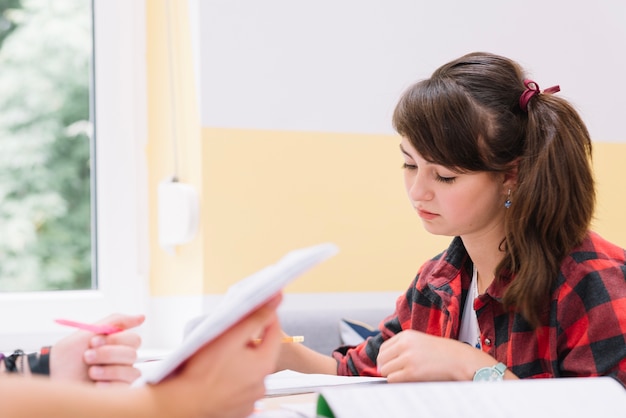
121	244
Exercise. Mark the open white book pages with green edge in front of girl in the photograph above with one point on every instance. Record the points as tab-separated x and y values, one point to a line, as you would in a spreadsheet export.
564	397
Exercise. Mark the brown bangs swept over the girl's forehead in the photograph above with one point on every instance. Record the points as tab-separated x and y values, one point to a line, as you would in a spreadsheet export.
443	124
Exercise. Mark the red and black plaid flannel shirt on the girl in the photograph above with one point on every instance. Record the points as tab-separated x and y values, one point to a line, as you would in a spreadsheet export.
585	327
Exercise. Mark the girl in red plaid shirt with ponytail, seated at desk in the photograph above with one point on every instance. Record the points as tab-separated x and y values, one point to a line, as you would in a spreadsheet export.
525	289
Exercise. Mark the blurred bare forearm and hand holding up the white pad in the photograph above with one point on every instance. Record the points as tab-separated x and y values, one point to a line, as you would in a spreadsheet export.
223	379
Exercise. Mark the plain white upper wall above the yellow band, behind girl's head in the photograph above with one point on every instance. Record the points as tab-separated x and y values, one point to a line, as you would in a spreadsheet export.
340	65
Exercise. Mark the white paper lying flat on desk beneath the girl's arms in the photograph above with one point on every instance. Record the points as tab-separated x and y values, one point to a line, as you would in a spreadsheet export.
289	382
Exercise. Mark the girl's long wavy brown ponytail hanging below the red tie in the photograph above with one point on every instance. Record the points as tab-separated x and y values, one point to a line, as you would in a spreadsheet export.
554	202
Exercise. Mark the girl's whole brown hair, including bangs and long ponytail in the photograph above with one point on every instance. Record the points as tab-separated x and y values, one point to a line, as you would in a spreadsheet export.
467	116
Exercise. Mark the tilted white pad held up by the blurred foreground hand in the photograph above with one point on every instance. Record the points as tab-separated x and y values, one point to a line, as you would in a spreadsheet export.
241	299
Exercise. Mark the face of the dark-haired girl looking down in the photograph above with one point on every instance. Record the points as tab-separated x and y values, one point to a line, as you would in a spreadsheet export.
453	204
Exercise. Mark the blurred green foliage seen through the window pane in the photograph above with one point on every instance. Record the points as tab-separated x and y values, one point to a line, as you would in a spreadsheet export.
45	137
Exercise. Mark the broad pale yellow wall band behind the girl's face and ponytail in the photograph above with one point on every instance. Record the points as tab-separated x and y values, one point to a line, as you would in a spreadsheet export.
269	192
